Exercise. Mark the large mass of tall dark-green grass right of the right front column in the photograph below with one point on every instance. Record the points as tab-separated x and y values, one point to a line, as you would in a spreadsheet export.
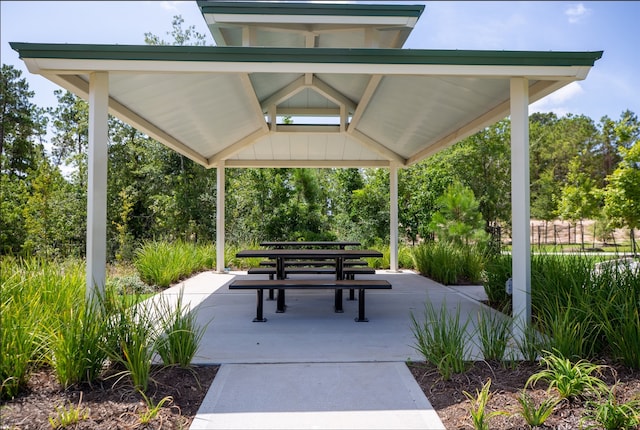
585	312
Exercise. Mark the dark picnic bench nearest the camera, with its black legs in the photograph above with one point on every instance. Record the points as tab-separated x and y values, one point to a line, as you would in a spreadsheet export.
305	284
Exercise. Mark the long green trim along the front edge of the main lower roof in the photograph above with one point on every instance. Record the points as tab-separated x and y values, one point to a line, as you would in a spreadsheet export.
304	55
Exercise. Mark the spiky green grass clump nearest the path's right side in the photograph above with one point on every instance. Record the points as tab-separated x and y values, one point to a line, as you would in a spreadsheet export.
442	339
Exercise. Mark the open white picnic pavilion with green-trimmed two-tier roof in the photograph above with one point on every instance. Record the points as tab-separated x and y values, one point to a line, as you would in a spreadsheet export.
356	98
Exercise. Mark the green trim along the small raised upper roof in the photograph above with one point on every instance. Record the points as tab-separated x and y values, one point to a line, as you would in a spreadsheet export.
246	8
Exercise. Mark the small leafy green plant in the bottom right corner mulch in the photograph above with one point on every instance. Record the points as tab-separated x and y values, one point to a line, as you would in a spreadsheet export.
612	414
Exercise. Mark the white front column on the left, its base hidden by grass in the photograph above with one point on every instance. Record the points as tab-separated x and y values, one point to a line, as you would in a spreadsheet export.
97	183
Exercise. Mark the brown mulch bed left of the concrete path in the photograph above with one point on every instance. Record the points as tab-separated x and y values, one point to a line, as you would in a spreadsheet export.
111	404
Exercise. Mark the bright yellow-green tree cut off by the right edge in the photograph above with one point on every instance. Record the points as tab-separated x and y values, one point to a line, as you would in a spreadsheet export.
622	195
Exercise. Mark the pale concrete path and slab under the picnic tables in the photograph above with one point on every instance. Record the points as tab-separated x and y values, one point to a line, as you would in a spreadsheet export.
312	368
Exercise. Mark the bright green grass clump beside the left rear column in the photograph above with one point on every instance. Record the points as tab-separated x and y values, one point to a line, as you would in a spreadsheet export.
163	263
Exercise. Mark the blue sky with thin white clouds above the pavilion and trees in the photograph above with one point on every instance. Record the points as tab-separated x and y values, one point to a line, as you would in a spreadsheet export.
611	87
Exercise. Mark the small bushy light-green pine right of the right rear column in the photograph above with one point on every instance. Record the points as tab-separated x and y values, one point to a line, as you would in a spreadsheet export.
458	220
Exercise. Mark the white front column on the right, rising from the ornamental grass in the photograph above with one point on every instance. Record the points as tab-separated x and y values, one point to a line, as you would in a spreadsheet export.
520	204
